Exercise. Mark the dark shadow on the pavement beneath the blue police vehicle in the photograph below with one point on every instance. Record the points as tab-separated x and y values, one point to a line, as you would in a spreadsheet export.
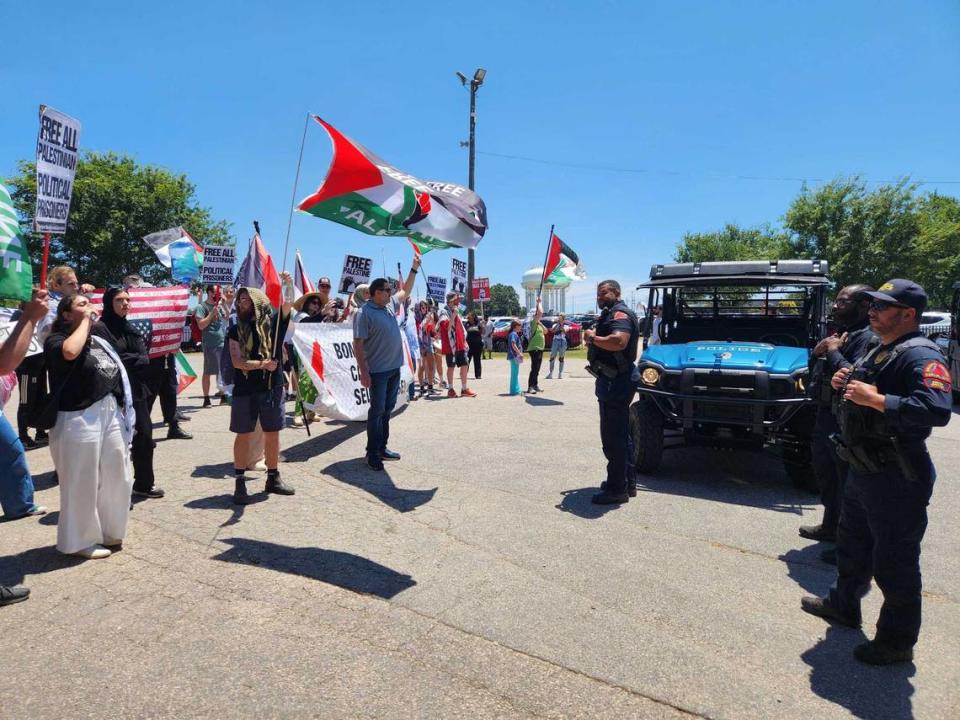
752	479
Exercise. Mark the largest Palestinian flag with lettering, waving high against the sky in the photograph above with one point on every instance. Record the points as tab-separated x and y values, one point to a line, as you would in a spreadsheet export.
365	193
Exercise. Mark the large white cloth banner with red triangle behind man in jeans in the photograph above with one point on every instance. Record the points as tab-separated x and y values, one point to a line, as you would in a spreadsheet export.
326	353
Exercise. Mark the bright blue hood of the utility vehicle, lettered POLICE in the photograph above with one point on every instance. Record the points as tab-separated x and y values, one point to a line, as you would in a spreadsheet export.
728	356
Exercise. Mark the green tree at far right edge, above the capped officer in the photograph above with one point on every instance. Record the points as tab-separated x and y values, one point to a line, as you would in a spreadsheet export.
937	248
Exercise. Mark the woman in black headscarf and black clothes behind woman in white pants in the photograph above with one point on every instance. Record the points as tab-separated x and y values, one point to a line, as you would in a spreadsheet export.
127	341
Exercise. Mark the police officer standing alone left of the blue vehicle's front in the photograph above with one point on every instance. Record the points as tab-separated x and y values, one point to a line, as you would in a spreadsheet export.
611	351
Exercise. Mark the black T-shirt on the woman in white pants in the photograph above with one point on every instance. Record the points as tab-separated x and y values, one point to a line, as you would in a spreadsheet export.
89	378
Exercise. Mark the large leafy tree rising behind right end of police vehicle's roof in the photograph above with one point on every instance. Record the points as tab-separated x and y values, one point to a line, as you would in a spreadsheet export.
867	236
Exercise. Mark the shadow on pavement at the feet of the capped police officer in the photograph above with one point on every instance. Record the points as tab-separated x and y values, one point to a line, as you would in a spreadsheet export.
867	692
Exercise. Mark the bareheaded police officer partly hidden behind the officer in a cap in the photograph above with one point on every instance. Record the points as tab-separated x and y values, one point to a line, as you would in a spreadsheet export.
850	340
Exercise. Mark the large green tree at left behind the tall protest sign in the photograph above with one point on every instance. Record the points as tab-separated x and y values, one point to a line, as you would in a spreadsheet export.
115	203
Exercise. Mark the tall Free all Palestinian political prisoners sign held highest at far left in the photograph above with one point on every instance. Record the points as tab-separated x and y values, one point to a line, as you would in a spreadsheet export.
57	149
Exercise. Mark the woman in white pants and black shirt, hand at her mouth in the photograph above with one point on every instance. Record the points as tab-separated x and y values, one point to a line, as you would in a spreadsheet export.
91	439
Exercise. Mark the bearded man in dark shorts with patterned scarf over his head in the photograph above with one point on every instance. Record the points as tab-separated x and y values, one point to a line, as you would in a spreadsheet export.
256	347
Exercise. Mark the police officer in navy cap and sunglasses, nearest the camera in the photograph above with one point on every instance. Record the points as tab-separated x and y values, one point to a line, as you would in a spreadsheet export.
890	400
